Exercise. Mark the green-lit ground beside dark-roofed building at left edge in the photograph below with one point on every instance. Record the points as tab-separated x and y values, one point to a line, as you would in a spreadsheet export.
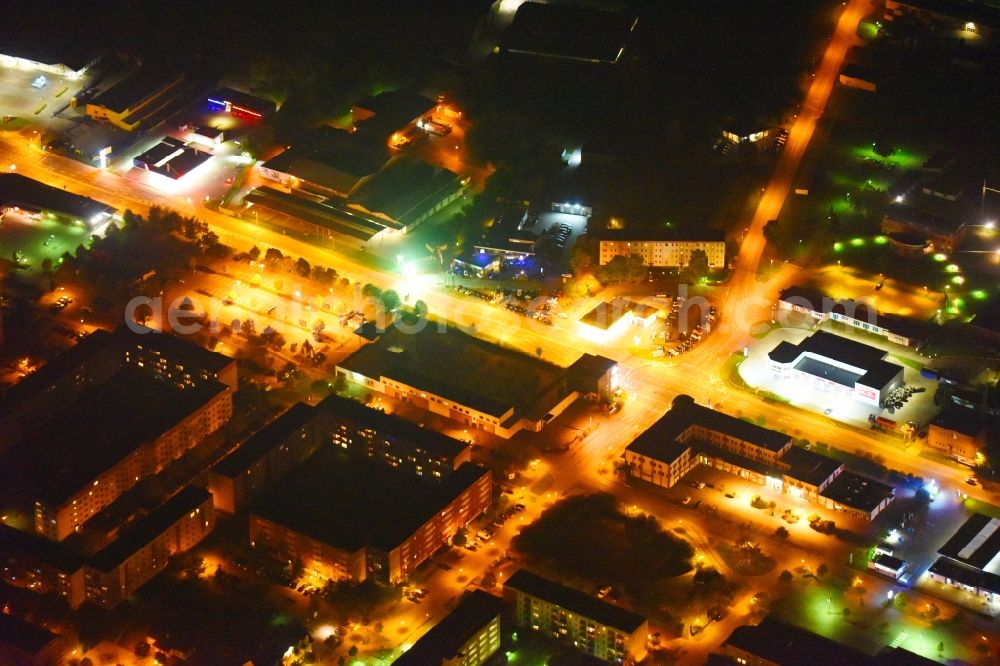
38	239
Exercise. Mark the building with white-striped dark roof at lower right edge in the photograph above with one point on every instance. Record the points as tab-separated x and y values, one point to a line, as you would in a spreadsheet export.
970	559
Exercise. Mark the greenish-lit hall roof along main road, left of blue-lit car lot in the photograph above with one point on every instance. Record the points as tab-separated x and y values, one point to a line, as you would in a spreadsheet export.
405	189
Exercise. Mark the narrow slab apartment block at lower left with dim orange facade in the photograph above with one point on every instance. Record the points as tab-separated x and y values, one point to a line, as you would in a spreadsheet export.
128	562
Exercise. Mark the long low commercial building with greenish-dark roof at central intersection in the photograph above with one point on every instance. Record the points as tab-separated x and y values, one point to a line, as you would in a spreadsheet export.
478	384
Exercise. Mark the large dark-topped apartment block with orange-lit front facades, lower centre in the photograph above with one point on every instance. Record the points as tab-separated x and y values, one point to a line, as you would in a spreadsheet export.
335	515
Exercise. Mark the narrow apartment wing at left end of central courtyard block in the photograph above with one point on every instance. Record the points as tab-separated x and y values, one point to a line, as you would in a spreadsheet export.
265	457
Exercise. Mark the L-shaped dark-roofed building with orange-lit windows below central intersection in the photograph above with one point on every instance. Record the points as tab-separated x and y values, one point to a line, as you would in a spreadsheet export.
690	434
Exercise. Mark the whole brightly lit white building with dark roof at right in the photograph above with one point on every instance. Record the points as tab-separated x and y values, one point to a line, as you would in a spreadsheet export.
836	364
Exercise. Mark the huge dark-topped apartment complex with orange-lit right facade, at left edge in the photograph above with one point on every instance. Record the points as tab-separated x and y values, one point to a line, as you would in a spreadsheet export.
107	386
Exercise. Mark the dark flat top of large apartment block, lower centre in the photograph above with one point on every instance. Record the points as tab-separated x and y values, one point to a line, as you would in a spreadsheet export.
342	502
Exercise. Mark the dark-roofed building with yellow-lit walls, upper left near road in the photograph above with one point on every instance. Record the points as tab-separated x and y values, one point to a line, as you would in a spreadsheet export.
136	97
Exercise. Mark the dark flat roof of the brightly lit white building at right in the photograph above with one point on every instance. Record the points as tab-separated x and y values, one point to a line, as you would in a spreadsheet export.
873	370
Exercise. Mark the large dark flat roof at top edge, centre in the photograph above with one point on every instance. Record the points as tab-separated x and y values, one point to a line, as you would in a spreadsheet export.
570	32
